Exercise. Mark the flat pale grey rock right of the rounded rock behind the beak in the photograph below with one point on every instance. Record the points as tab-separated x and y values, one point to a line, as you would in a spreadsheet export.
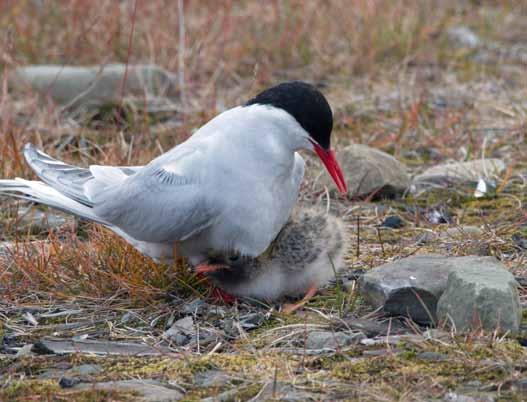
460	172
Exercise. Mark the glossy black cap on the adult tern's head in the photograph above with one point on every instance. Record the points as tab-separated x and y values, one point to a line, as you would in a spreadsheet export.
305	103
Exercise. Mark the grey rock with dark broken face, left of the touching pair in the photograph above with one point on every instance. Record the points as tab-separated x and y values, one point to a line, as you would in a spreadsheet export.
394	286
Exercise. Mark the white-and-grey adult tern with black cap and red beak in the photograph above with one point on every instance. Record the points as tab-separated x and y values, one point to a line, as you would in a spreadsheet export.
230	187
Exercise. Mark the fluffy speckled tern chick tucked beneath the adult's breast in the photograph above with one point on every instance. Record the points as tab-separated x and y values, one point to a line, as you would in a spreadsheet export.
305	256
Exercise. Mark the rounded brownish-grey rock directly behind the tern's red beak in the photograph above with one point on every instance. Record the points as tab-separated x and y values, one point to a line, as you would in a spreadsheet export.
368	170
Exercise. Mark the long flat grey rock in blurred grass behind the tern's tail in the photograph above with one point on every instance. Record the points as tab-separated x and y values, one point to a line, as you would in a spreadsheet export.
94	86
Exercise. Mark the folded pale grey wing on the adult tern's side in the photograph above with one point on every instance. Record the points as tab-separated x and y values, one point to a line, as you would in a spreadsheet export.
164	202
